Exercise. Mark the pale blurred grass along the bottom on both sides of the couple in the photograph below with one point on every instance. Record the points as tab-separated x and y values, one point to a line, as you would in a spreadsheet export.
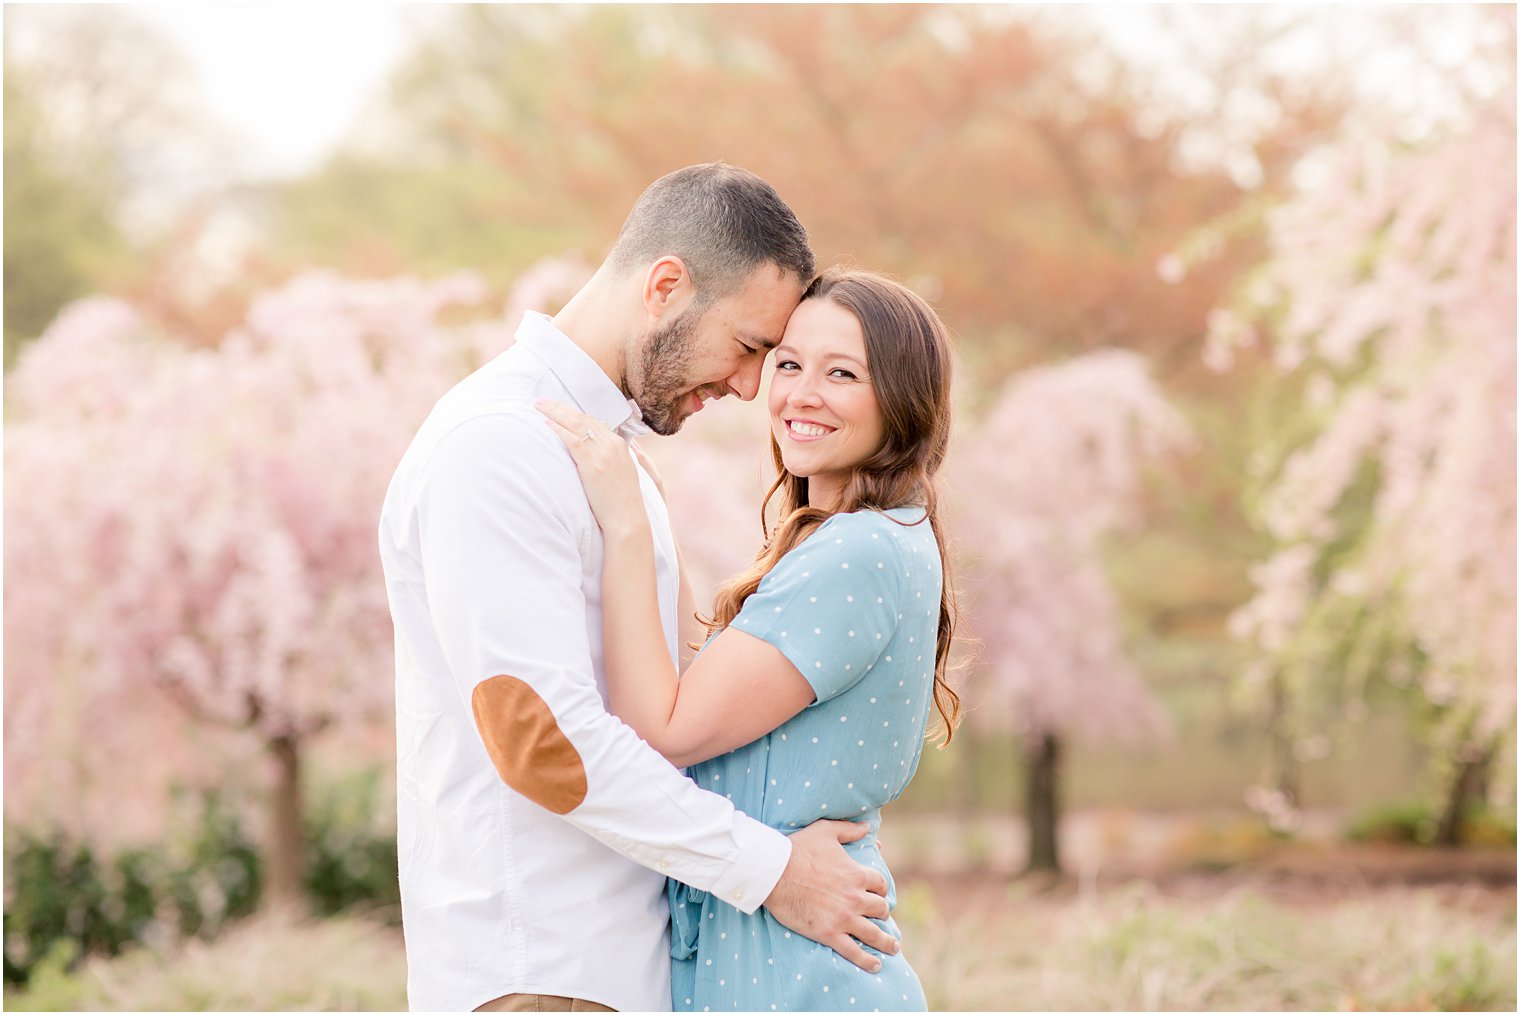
980	944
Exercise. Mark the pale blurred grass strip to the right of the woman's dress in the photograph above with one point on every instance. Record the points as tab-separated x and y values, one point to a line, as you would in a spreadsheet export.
1135	949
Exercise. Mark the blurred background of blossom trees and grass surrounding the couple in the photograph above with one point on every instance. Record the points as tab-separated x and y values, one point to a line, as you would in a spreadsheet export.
1232	490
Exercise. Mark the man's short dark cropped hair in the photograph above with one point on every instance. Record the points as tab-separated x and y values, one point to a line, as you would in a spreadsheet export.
723	221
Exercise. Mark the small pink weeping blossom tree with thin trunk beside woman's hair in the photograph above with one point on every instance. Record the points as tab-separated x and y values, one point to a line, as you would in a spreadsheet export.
1048	476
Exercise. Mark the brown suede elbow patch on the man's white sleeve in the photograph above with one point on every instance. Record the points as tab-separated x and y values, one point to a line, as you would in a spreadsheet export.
527	745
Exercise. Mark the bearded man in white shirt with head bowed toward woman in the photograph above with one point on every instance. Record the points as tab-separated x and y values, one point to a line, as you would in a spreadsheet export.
534	829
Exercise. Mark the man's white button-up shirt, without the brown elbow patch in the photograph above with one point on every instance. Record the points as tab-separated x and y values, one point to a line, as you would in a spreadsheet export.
493	564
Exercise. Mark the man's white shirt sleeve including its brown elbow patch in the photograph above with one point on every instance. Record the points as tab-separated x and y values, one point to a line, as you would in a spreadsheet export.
504	540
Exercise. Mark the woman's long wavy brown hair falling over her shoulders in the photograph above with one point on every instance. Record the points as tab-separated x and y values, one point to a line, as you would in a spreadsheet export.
908	356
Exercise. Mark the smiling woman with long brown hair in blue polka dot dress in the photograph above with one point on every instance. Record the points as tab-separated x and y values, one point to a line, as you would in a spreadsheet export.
812	695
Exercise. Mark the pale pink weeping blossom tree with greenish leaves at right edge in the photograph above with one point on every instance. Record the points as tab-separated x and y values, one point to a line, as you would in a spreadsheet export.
1390	495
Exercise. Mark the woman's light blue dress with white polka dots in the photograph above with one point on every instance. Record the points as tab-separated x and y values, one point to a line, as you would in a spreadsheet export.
857	609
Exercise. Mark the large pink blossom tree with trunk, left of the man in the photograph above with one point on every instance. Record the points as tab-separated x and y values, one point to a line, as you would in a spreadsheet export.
192	539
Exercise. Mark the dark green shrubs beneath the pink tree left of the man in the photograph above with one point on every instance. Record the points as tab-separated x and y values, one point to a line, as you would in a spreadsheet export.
66	900
